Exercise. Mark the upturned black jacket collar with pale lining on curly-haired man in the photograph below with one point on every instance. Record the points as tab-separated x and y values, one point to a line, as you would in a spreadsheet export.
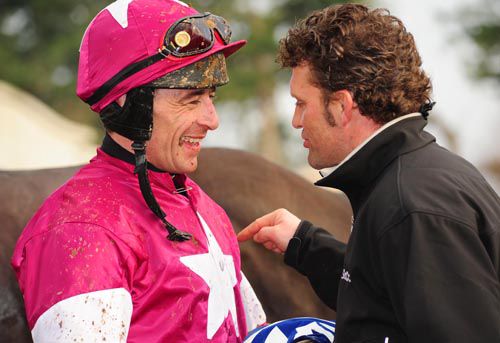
358	171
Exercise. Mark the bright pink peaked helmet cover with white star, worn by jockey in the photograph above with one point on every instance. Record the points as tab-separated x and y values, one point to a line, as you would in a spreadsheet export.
128	32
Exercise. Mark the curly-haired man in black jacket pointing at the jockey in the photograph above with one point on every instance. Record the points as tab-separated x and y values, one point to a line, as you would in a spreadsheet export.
423	260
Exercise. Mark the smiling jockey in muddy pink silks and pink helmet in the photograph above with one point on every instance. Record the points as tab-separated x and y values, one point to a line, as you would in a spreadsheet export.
130	248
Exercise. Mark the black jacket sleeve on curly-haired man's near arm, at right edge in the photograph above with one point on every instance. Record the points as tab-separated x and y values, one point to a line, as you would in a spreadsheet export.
440	280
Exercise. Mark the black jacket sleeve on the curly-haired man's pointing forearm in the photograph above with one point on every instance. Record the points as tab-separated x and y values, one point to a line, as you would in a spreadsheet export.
316	254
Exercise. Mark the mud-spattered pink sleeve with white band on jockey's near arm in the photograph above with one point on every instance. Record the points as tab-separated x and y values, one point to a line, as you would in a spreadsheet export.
77	281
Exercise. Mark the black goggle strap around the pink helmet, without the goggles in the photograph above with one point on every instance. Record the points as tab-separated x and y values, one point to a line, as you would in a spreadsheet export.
124	74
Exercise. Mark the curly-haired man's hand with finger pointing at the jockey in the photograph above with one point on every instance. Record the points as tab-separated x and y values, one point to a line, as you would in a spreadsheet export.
274	230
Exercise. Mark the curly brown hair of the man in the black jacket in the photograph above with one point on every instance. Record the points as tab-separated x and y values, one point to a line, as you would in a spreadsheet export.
368	52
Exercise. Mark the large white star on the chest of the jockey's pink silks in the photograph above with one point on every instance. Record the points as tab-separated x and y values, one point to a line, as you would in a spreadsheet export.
217	270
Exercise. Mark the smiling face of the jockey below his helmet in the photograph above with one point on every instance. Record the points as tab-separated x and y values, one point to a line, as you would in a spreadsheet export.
182	118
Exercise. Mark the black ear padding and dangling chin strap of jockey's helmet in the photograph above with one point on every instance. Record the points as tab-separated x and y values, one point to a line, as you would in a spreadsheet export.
135	121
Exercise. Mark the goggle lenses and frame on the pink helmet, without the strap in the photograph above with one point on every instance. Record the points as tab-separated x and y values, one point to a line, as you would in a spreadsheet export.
195	35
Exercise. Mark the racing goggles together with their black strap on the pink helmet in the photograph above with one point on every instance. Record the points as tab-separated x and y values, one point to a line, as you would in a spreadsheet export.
188	36
